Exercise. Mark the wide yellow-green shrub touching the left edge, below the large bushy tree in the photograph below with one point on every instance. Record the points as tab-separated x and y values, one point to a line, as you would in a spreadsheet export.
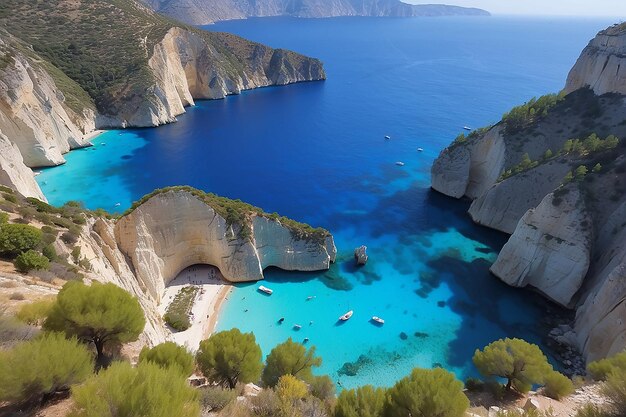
31	371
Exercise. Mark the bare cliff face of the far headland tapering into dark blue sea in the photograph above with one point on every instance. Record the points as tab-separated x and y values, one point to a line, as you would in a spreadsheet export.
189	65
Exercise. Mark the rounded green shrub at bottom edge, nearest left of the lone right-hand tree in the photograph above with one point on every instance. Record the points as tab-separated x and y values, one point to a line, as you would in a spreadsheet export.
427	393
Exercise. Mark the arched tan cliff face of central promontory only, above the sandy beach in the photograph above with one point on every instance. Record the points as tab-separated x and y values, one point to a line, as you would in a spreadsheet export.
176	229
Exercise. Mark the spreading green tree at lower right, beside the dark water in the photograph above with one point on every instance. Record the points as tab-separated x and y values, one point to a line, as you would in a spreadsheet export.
522	364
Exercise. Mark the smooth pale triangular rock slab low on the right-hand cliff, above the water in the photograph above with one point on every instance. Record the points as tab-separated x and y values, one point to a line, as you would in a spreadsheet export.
550	248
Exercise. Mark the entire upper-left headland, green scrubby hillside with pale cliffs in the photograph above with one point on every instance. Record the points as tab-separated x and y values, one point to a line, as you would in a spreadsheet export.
86	64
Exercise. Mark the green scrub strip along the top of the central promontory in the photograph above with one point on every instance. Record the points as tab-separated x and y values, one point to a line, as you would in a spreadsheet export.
240	214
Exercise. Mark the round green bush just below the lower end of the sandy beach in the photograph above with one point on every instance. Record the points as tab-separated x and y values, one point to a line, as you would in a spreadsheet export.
229	357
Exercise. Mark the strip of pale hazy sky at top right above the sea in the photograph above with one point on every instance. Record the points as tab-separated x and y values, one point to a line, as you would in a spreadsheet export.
611	8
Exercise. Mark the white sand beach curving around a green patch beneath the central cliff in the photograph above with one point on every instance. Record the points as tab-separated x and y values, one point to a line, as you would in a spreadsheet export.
213	290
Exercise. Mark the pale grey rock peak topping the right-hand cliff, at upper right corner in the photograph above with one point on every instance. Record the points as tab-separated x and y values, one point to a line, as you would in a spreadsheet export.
602	64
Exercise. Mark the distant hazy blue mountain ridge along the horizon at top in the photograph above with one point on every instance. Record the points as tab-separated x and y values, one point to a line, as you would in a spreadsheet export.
201	12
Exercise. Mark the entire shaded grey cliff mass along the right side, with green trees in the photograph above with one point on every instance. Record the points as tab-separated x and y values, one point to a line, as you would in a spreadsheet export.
552	173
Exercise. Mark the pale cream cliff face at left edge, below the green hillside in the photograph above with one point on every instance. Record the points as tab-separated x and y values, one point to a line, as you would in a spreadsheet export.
33	114
